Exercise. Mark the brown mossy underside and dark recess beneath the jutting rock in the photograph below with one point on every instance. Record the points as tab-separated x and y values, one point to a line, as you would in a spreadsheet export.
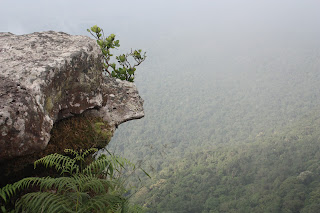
78	132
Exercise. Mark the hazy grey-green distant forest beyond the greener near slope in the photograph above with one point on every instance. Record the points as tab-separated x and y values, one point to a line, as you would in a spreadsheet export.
221	106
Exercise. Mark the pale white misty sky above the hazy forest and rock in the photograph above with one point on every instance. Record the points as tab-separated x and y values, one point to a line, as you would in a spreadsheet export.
177	30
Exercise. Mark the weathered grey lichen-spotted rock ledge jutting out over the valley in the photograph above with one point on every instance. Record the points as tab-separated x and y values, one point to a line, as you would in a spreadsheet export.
48	76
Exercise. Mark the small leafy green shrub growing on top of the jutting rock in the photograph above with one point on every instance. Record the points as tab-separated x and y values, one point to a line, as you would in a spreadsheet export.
127	69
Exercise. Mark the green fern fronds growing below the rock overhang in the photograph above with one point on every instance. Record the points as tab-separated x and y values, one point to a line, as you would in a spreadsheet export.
82	188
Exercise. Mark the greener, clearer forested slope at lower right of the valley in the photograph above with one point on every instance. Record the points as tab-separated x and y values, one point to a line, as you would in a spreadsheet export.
279	172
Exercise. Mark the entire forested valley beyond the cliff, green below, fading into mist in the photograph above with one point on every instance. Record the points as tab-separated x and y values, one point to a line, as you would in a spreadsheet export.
242	138
